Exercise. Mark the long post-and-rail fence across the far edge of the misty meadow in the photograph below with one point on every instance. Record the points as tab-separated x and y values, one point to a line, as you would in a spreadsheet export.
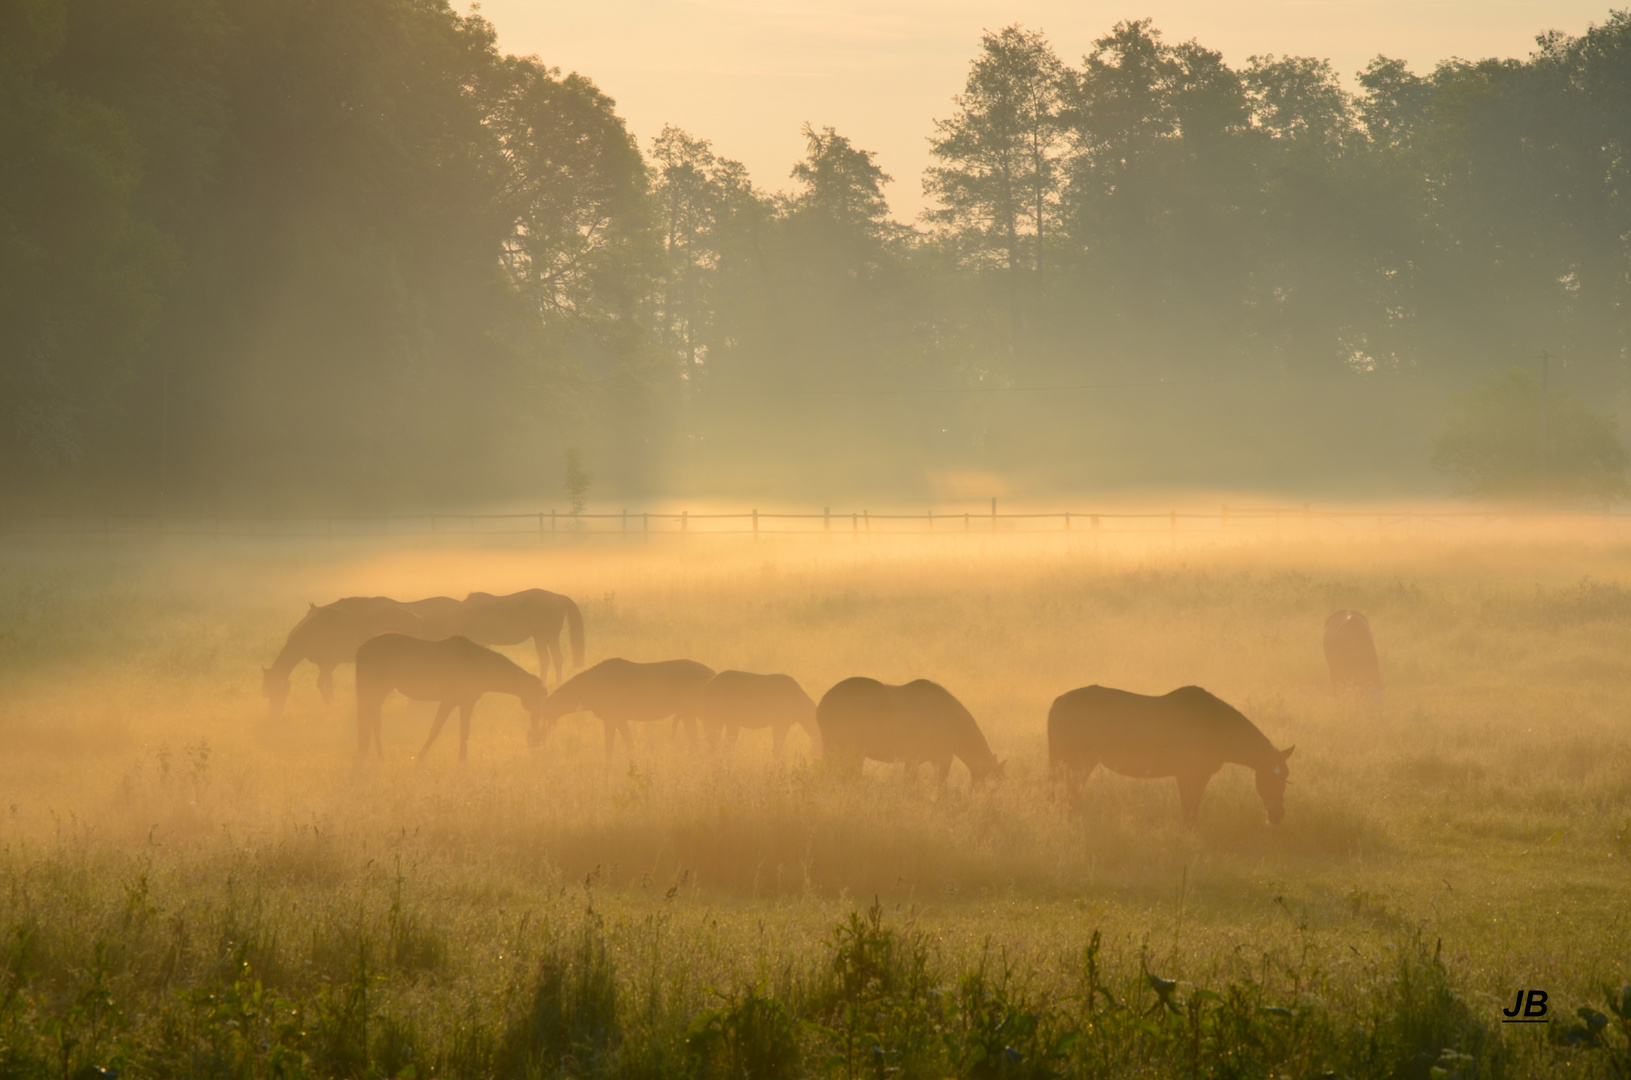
632	525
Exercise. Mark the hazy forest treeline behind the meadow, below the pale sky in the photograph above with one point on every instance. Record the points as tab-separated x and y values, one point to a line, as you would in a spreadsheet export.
273	252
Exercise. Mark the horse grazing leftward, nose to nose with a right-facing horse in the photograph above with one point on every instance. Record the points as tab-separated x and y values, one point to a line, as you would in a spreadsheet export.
622	693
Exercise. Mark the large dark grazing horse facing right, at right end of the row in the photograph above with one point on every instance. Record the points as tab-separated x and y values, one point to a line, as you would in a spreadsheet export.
1188	735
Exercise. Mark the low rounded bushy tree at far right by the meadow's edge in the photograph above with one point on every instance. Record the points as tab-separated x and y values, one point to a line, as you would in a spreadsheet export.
1509	441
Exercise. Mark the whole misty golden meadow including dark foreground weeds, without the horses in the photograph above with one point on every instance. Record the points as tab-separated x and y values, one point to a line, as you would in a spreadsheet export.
190	888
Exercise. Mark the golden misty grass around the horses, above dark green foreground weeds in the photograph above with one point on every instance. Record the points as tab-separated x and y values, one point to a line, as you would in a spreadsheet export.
1487	803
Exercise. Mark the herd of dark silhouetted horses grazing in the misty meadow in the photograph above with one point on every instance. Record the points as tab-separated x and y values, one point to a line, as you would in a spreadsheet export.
436	650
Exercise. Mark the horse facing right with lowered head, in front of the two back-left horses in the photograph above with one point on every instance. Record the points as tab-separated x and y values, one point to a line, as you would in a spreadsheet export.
454	673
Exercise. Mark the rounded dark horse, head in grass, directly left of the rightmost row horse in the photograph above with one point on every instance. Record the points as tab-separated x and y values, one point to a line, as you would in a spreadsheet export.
919	722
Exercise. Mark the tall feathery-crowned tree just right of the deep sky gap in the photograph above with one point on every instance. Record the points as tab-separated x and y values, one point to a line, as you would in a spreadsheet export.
1002	151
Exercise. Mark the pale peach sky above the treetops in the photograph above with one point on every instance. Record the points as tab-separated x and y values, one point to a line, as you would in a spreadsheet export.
748	74
